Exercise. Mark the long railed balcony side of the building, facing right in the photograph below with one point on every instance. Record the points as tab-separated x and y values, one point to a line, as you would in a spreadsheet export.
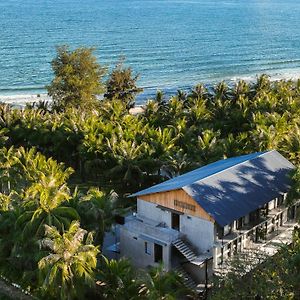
264	237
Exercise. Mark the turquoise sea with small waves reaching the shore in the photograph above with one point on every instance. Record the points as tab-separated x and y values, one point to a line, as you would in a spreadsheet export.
170	43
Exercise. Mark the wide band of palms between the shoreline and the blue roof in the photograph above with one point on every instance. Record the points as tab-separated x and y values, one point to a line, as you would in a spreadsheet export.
127	152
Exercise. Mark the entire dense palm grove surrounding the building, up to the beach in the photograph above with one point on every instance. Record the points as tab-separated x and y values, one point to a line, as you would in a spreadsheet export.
66	170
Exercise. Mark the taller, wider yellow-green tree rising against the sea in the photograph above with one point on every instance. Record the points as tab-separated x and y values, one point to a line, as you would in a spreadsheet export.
77	79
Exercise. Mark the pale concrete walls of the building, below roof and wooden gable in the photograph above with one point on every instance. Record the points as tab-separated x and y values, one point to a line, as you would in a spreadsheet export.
147	237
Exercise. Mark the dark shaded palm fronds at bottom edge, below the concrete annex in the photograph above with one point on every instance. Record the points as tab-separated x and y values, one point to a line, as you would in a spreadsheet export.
118	280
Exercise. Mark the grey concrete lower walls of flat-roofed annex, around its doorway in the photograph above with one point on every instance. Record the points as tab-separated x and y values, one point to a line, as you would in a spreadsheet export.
133	248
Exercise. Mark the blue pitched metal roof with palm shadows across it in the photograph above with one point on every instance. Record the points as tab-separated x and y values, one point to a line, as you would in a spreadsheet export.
231	188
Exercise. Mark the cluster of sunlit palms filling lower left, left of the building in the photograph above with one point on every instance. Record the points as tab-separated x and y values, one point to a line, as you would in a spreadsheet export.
35	195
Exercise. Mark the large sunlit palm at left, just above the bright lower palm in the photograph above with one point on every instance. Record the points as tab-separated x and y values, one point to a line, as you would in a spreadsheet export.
42	193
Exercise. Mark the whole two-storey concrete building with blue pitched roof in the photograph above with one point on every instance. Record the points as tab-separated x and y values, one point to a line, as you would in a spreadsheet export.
195	221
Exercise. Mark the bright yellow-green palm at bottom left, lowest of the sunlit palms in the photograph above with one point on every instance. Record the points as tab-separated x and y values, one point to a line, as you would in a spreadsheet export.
70	264
